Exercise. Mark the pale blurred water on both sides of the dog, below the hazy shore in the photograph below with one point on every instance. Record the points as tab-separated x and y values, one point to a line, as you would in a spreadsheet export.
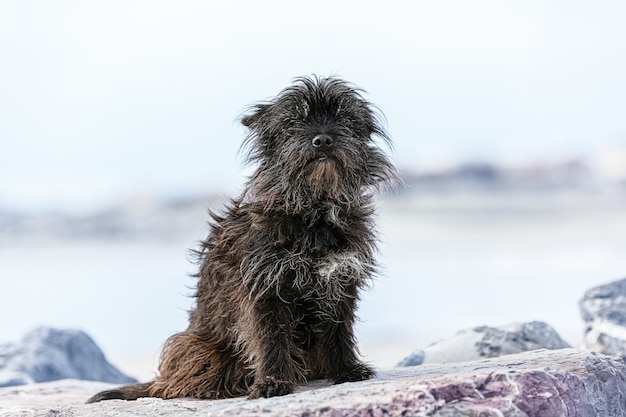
450	261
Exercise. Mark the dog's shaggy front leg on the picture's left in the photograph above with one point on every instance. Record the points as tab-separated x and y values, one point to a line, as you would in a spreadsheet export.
277	360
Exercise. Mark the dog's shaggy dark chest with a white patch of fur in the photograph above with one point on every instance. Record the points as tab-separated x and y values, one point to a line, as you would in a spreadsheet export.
322	260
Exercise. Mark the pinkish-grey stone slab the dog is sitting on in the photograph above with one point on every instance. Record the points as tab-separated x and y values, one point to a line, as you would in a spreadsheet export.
550	383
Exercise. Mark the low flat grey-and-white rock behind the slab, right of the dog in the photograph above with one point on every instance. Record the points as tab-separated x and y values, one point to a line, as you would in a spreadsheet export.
488	342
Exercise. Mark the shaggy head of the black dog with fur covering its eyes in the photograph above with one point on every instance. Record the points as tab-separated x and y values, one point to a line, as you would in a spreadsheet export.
319	138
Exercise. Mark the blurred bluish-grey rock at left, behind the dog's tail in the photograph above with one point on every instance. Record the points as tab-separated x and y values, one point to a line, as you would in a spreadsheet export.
47	354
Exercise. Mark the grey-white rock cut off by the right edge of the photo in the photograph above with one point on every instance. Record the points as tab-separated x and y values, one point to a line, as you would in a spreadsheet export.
604	311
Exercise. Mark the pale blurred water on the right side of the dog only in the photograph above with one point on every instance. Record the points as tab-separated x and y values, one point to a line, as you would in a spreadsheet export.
457	261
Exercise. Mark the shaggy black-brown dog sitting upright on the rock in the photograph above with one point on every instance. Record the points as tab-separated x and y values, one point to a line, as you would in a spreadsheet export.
281	270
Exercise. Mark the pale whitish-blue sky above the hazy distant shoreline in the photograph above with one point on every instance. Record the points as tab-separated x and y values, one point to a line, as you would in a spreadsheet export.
101	100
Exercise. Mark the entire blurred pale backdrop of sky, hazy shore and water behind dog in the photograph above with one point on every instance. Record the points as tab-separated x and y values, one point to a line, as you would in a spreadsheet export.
119	129
